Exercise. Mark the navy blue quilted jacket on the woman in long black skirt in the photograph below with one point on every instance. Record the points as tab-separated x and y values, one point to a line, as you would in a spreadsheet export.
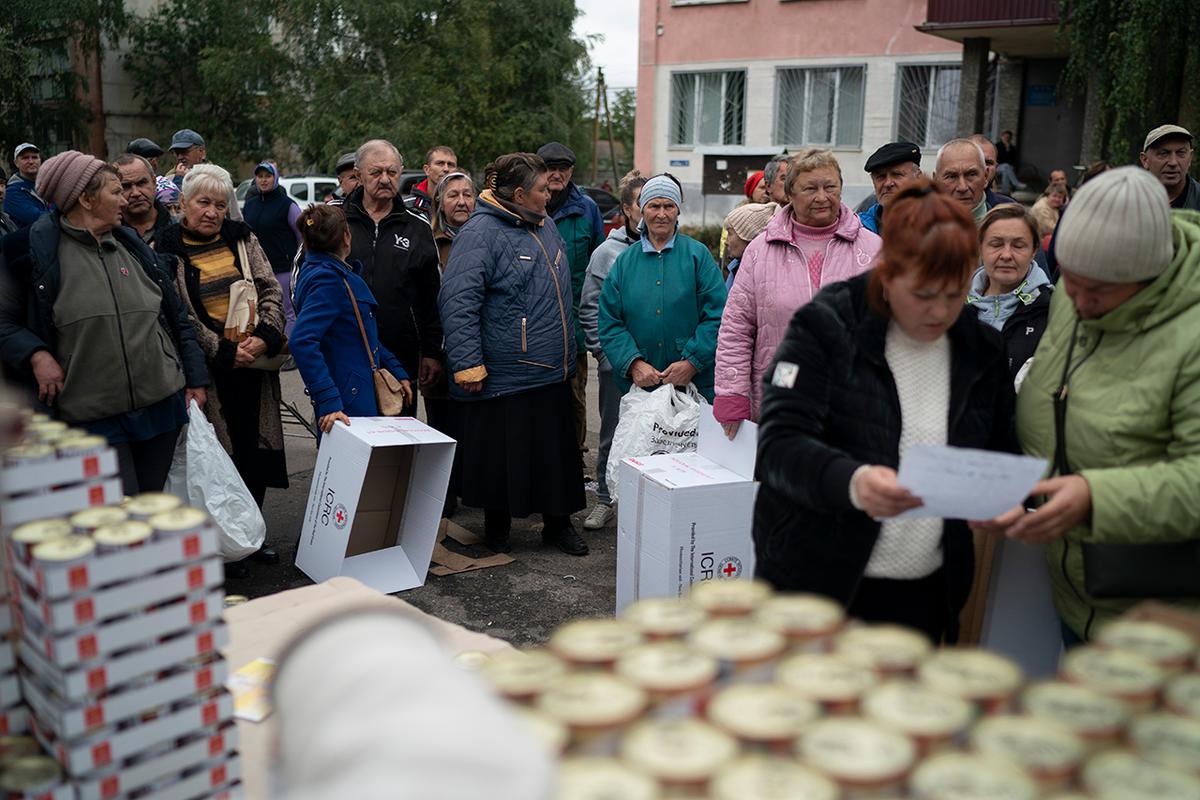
506	303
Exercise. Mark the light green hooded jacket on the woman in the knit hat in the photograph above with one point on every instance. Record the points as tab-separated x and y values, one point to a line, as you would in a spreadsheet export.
1132	423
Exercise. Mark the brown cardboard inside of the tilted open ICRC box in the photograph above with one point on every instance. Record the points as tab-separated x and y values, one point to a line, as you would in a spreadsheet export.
382	501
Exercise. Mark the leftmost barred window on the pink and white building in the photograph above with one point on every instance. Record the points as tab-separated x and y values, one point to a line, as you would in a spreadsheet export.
709	107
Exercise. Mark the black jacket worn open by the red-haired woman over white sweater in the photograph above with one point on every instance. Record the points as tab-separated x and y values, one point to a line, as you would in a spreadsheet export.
842	413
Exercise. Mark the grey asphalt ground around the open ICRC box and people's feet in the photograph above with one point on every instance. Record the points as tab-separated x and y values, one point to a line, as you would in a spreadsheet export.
520	603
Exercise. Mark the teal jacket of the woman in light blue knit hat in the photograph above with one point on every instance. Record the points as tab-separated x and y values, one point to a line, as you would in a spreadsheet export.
663	308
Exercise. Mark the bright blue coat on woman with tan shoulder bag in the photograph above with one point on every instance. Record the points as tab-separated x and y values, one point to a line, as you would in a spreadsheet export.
327	345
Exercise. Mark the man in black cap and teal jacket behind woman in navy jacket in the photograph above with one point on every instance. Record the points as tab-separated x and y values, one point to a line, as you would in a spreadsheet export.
580	225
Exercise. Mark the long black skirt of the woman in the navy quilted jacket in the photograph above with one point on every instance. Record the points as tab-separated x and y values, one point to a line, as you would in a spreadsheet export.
519	454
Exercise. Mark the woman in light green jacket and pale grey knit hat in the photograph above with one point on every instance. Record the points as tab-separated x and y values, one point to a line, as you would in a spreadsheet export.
1113	402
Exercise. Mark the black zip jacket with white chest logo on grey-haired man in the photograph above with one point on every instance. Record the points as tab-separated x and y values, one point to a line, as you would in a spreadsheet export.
400	263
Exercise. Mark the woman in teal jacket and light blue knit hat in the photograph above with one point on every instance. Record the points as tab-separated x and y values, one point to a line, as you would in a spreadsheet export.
662	303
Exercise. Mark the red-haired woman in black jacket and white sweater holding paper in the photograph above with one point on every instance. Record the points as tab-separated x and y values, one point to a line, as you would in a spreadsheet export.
871	368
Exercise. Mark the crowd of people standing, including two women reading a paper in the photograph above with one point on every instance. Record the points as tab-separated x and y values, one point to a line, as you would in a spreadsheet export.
941	312
